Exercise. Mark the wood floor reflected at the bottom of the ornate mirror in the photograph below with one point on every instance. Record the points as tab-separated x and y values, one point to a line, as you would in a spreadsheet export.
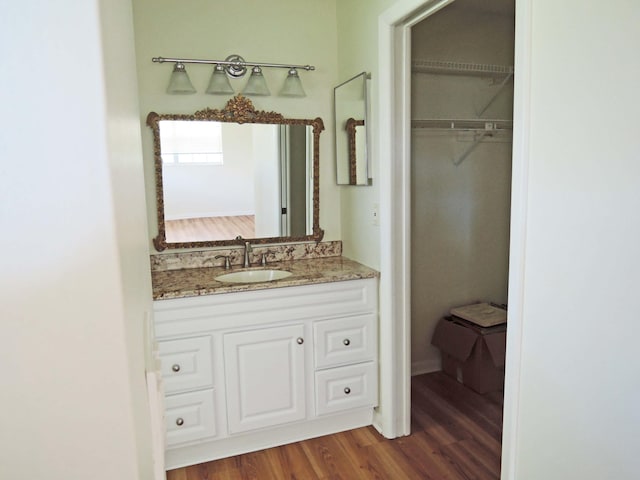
209	228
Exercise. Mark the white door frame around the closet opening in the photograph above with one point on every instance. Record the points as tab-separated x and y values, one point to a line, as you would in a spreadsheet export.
394	153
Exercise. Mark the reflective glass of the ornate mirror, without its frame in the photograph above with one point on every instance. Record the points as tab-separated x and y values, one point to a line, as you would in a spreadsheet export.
221	180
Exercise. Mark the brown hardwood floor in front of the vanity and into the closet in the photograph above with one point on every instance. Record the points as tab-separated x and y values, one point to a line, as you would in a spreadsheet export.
455	436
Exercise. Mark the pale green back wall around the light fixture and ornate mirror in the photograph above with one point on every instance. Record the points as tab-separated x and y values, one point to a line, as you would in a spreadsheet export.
278	31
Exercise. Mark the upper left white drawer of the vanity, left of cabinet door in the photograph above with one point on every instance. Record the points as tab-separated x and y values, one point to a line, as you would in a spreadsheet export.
186	363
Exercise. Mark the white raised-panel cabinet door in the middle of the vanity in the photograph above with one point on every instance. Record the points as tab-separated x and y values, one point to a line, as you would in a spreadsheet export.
265	377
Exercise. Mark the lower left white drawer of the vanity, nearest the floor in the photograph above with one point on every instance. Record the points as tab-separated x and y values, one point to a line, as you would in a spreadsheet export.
189	417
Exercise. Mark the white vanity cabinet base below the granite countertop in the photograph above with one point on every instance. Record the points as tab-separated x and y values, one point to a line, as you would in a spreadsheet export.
249	370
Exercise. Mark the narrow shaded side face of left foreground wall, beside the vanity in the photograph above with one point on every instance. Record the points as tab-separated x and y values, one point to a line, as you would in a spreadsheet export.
127	183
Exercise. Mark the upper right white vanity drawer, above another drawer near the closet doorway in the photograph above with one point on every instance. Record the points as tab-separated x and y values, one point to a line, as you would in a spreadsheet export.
344	340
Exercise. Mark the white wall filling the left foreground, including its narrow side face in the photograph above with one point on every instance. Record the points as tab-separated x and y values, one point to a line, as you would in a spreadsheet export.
72	390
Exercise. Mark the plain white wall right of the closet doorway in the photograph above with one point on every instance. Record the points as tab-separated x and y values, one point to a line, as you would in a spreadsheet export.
579	384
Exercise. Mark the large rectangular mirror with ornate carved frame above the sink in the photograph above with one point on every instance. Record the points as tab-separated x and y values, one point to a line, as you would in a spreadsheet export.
235	173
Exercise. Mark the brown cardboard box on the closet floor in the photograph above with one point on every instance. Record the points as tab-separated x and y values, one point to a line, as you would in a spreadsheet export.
472	354
